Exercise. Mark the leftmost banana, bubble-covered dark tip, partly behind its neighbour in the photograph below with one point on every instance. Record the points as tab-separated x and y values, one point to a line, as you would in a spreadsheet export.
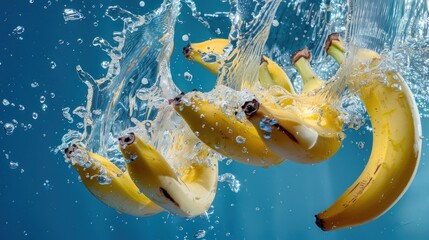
116	189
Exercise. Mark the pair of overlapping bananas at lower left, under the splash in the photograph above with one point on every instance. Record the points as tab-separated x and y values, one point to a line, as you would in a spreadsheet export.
150	183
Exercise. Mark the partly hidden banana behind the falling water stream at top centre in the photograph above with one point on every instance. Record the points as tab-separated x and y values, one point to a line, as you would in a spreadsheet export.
205	54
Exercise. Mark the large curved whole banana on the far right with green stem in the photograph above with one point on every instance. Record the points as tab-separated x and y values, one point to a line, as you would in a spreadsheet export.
396	144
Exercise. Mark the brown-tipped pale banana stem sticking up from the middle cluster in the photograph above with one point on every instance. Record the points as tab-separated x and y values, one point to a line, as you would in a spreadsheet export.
301	61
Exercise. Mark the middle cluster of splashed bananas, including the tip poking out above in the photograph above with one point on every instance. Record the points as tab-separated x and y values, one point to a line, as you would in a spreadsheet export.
288	127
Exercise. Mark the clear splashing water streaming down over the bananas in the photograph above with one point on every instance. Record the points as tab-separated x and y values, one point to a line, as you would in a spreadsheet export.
134	93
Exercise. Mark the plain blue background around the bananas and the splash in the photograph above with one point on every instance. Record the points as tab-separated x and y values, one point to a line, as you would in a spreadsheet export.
274	203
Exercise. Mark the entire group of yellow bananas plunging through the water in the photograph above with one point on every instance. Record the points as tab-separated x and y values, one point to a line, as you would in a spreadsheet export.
265	128
